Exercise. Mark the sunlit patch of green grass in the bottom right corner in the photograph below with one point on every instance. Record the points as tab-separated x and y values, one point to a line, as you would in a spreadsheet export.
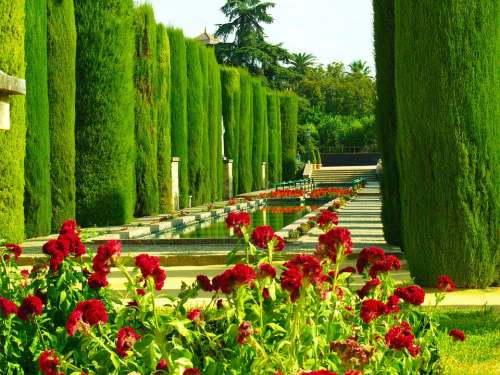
480	352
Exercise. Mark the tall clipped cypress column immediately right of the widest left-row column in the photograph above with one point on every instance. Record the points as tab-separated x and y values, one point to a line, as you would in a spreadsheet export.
146	115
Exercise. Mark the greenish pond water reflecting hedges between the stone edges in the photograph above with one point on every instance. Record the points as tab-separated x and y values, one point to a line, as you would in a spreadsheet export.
275	216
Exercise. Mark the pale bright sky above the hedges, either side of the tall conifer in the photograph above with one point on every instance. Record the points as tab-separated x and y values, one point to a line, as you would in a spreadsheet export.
331	30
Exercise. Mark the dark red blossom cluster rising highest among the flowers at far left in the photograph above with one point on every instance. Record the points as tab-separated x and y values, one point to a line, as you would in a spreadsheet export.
68	242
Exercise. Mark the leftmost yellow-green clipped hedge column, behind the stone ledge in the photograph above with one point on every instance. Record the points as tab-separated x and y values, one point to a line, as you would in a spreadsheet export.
13	141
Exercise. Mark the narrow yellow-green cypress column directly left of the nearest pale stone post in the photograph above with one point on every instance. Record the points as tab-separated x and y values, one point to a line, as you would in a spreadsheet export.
163	110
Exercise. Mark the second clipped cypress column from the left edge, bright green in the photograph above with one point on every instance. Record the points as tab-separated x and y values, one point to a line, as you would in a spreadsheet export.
37	205
